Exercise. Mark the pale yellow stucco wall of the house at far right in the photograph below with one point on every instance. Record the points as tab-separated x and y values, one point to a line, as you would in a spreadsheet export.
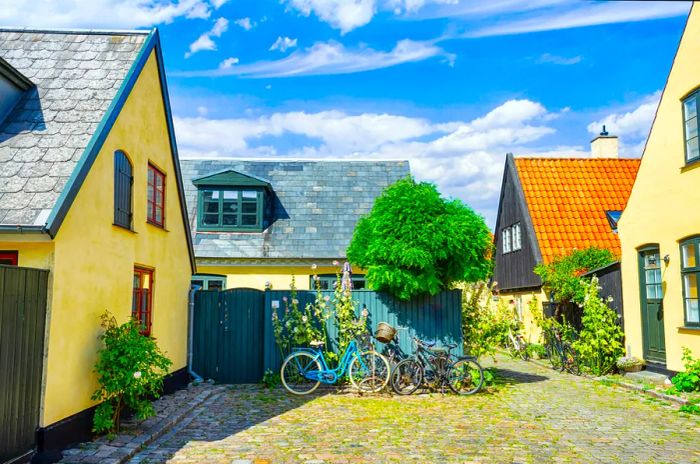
662	208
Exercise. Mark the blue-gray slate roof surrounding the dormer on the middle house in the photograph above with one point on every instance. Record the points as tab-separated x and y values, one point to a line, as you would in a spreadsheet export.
318	204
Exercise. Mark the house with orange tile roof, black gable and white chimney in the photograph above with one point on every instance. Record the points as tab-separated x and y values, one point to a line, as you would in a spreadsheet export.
550	207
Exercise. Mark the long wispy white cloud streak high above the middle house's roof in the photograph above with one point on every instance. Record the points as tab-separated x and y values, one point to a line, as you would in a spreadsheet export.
324	58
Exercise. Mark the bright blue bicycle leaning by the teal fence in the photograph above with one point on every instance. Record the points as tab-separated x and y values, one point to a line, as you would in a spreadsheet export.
306	368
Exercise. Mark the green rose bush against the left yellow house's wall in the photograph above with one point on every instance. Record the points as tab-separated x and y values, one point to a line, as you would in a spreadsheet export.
130	371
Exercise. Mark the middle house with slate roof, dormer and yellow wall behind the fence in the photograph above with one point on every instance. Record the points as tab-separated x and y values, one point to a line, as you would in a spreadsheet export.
258	223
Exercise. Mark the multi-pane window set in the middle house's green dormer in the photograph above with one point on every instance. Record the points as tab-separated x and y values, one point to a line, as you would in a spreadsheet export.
225	209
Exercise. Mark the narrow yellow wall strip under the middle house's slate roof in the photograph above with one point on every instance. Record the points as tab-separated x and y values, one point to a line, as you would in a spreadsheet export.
279	276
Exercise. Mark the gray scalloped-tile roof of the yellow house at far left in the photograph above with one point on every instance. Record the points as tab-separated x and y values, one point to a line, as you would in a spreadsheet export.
76	74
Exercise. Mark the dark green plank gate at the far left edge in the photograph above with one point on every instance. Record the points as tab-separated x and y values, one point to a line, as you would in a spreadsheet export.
22	319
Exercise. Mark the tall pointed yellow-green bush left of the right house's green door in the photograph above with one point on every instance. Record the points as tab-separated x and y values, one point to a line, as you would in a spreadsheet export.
599	344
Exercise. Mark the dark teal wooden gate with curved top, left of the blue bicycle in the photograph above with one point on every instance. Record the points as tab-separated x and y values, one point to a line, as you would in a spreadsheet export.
228	335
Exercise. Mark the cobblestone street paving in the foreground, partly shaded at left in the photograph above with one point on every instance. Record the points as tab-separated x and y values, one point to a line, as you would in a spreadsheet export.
537	416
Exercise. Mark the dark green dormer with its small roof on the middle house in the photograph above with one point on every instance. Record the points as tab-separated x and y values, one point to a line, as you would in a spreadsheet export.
231	202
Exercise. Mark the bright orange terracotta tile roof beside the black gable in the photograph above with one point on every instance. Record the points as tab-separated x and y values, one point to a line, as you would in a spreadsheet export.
568	197
